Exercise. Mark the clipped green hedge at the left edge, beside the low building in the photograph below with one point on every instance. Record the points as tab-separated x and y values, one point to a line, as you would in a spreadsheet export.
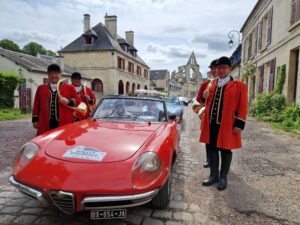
8	83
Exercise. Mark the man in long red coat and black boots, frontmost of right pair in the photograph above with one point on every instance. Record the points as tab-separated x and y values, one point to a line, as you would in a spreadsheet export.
224	119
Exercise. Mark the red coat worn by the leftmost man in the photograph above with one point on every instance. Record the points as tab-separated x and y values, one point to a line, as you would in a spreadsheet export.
41	106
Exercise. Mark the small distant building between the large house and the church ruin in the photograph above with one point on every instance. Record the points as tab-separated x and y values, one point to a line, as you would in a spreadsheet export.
159	80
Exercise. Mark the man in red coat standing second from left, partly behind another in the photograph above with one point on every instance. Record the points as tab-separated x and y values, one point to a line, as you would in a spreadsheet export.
86	94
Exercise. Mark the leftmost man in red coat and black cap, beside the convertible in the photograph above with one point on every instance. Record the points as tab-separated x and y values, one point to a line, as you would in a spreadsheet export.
49	111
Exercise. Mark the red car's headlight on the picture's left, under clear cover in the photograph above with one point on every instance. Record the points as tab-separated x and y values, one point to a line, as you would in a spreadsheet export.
25	155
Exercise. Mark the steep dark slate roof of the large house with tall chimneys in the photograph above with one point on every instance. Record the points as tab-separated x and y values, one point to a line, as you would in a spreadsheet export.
103	42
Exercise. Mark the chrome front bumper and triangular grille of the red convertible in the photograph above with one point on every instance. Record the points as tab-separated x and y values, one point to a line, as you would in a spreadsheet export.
66	201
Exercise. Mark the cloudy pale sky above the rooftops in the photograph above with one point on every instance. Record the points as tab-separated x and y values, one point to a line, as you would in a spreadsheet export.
166	31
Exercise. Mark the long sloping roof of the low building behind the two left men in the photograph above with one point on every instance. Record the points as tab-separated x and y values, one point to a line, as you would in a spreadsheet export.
36	64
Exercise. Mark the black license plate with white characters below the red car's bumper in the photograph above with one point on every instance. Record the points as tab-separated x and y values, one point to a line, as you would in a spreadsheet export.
108	214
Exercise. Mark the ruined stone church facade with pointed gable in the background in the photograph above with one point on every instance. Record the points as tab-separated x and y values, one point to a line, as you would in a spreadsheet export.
189	77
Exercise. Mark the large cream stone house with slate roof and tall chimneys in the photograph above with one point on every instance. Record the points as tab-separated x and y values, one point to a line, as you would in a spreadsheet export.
110	60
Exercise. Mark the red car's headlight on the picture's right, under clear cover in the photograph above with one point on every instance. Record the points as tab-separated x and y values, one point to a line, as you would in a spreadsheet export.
146	170
